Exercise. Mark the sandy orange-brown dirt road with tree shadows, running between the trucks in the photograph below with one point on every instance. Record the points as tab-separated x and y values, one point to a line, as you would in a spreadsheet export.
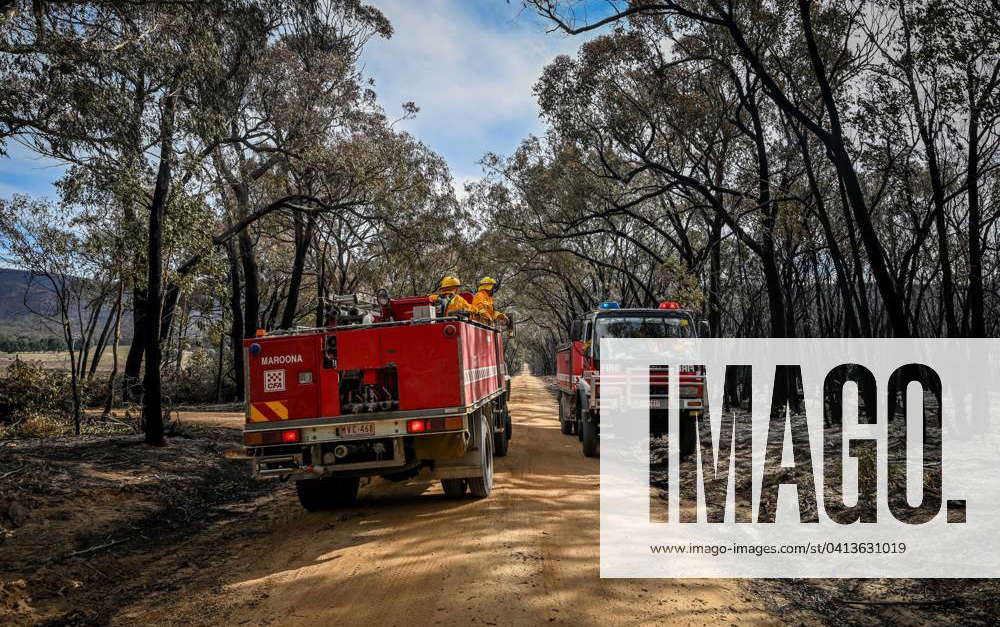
406	555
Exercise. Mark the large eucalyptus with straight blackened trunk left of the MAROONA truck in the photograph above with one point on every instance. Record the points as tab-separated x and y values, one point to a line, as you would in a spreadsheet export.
141	94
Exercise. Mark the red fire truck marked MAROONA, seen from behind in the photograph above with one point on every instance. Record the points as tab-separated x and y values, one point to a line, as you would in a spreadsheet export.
387	389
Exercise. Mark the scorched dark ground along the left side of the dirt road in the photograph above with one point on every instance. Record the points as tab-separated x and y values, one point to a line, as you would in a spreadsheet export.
90	525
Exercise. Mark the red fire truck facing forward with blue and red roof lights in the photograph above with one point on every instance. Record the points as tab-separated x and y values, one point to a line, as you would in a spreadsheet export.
578	371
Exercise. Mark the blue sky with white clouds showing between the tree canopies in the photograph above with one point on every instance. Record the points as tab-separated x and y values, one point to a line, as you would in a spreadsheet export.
468	64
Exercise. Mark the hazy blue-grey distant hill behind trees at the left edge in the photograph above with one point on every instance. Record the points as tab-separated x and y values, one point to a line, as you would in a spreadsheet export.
18	324
